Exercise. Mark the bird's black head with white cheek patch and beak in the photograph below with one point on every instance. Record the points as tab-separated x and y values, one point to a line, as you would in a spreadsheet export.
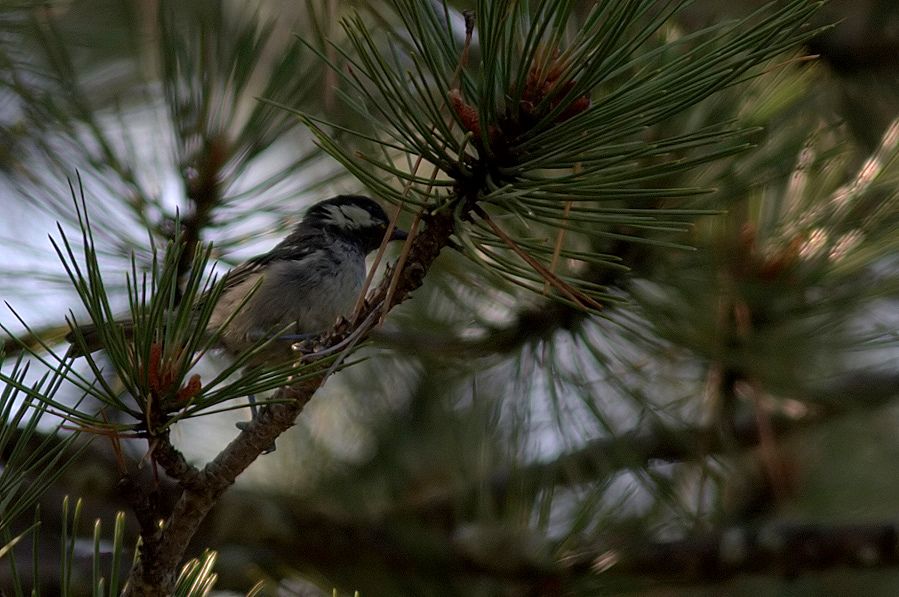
354	217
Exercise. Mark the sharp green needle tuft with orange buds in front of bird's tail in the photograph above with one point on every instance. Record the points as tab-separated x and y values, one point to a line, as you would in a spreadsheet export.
153	354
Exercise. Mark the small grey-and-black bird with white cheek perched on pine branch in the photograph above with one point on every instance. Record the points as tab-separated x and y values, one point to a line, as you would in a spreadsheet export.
305	284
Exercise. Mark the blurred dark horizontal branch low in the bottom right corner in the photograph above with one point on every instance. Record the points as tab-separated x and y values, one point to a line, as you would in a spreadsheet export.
786	550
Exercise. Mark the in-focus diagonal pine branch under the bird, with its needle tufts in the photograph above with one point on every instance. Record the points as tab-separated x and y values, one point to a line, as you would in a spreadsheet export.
518	139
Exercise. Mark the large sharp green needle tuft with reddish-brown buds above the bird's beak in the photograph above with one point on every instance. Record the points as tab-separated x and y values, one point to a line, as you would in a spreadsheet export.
547	129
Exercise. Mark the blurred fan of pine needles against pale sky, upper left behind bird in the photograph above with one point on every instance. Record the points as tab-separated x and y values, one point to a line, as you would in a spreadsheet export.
166	124
